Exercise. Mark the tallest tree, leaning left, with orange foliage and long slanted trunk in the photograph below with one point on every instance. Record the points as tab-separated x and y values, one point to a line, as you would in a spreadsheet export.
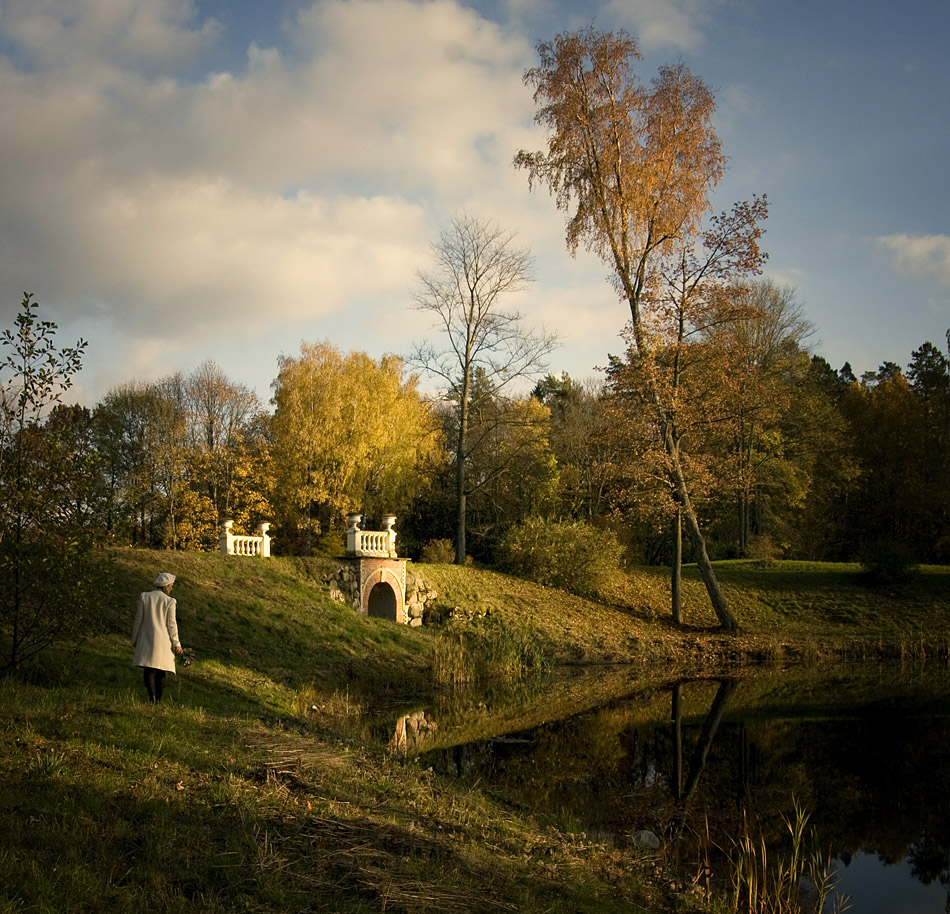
633	167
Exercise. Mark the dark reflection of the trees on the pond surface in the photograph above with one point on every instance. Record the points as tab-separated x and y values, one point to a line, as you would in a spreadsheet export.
615	770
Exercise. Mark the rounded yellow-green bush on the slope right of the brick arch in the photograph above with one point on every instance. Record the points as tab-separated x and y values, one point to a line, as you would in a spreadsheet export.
571	555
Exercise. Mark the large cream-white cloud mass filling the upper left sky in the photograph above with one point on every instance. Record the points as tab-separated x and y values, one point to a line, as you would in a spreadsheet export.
308	184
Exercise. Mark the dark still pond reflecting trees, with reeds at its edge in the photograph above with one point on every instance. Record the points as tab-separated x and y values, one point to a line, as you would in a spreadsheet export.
866	752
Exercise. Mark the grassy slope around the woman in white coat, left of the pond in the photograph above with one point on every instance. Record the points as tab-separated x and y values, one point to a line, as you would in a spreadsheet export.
252	788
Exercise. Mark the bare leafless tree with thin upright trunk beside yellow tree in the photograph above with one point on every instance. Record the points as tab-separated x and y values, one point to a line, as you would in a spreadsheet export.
476	264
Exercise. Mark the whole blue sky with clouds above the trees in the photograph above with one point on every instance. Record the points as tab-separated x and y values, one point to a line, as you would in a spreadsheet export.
194	180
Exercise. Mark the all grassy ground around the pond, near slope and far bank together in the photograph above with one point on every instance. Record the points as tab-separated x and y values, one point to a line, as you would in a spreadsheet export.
255	786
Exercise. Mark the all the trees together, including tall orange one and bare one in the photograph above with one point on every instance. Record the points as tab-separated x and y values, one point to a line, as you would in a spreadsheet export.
716	419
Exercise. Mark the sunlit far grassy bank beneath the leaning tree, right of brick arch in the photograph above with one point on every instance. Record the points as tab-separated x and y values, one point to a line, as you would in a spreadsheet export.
786	611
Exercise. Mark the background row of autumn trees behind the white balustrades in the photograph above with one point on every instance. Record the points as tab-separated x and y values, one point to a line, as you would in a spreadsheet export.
784	455
